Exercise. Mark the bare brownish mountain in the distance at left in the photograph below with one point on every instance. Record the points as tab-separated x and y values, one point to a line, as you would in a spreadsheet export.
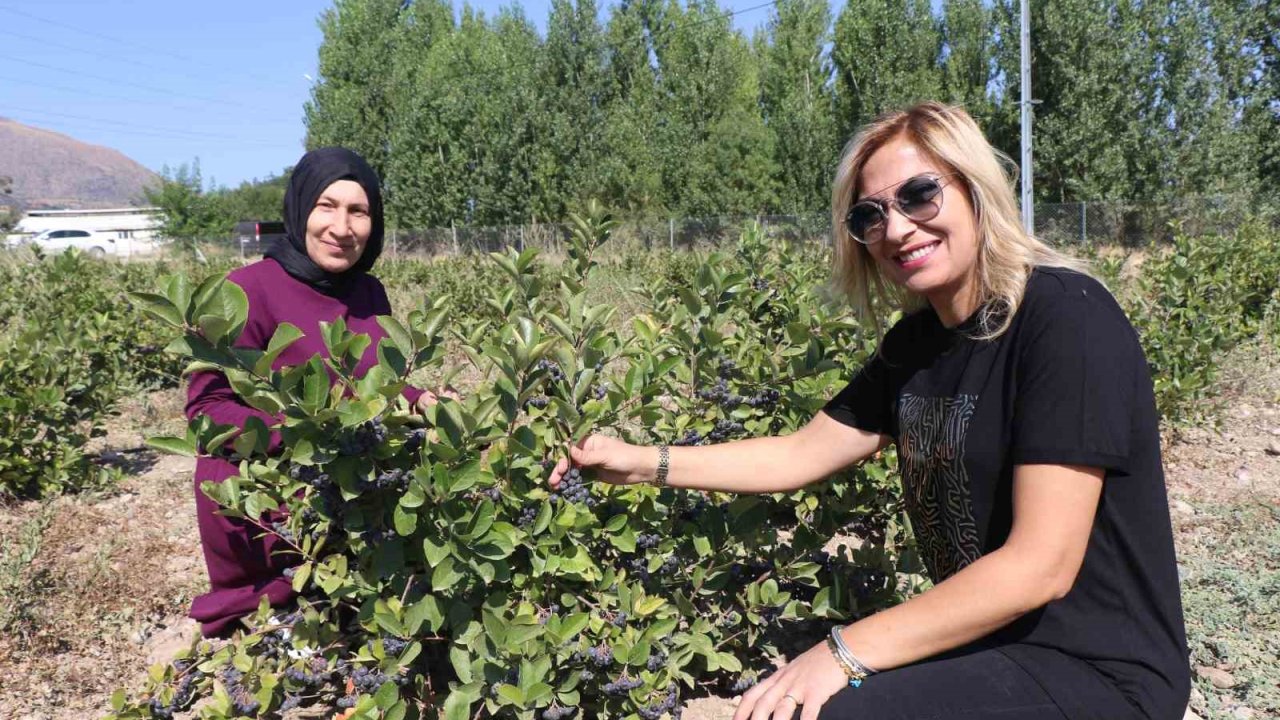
51	170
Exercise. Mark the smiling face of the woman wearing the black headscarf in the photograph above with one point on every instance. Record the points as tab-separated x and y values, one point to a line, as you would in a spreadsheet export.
340	226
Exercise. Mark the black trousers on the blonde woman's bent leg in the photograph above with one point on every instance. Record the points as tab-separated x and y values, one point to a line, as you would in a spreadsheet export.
968	685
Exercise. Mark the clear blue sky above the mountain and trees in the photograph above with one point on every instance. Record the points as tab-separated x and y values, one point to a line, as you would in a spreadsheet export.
167	83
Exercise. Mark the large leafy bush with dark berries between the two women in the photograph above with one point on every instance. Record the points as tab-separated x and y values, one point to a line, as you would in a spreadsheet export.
437	573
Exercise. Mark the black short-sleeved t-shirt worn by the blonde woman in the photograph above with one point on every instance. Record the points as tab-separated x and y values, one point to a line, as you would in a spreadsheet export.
1067	385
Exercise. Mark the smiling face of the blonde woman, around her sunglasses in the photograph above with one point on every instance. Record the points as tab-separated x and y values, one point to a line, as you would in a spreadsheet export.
939	258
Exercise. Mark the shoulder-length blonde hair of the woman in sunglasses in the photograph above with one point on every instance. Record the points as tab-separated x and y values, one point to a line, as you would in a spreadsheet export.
1007	253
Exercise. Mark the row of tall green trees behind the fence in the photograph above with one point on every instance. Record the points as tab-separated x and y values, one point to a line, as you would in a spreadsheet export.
664	110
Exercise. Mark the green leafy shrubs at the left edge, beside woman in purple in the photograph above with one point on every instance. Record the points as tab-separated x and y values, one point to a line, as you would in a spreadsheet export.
71	347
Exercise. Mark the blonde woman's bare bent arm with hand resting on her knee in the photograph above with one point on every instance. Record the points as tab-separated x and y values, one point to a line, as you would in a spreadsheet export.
1054	509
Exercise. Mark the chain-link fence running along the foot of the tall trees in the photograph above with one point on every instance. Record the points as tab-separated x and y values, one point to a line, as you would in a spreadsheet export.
1060	224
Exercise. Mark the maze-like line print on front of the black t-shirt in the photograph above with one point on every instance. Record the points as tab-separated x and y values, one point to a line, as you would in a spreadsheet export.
932	434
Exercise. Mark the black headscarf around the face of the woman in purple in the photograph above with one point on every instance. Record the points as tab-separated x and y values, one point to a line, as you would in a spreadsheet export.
317	171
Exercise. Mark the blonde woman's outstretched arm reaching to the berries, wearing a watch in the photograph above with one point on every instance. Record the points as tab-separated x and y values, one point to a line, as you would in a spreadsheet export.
769	464
